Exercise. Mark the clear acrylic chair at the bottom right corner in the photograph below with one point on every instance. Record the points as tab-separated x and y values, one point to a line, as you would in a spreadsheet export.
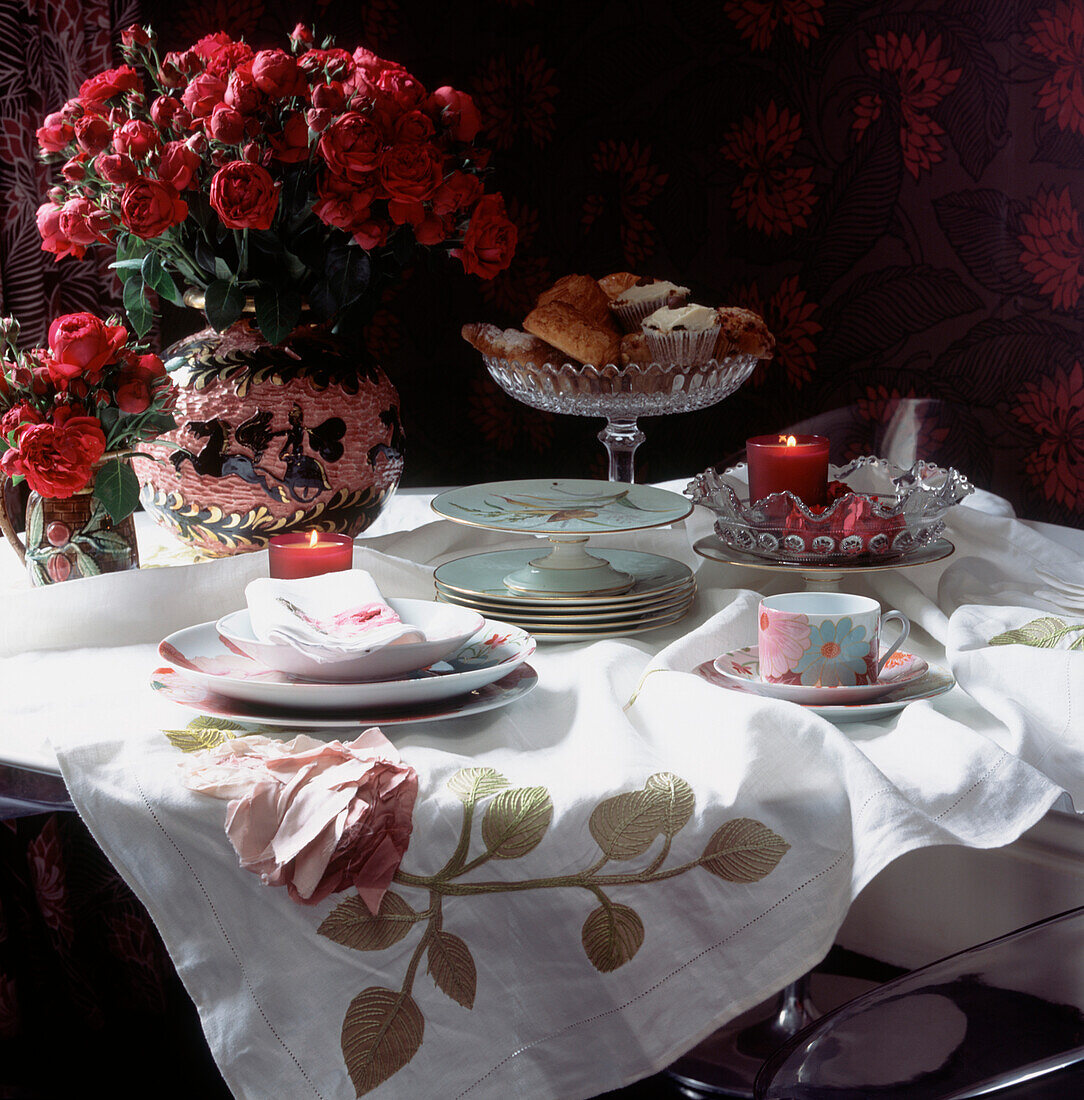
1004	1021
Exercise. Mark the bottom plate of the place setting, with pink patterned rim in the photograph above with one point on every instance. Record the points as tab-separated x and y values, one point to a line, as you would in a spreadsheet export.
172	686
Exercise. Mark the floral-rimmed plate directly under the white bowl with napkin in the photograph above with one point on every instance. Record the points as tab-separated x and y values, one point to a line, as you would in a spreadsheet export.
201	657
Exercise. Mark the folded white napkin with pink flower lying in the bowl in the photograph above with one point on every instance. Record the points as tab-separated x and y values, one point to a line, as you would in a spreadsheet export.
329	618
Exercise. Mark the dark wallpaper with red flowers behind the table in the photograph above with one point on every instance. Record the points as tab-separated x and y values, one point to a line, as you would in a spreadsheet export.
895	184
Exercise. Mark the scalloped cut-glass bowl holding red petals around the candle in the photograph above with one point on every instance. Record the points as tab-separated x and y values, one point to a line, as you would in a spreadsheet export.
890	513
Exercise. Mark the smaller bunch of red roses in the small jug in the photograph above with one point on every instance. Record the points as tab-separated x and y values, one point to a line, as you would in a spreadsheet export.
91	394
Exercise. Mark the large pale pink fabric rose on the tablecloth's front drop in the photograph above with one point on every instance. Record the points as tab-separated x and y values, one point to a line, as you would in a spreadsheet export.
314	817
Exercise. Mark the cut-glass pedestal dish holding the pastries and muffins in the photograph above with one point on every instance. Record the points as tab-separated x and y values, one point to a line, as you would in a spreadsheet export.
621	394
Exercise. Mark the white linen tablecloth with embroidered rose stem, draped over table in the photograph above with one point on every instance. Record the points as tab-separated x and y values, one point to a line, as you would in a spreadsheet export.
682	852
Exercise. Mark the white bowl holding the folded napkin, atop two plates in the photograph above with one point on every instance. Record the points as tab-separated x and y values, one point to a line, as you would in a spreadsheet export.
446	629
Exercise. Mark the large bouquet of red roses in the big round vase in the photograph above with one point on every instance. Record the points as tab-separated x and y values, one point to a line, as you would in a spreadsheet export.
283	178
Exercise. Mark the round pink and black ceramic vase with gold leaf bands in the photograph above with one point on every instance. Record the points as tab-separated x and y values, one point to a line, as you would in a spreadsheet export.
272	438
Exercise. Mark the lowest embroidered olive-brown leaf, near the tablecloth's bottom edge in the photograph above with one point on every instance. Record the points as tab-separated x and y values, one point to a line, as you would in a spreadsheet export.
381	1033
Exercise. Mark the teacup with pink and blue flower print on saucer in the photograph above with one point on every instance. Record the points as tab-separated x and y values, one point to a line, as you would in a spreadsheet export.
824	640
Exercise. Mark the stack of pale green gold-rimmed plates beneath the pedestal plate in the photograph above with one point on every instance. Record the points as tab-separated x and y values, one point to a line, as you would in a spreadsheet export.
662	593
